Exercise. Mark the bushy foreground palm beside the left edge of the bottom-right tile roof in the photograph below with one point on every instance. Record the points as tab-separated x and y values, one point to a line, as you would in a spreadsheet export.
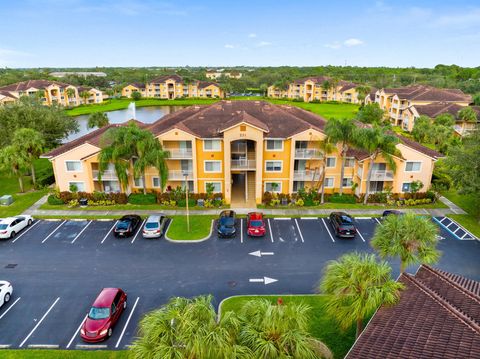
357	285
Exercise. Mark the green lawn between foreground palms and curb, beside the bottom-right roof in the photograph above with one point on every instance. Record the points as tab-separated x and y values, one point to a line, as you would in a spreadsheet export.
320	326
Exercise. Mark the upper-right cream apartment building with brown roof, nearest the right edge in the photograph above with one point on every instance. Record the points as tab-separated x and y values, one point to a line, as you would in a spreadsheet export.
395	101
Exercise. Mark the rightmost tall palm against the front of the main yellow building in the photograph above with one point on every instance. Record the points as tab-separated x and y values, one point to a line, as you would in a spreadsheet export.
376	142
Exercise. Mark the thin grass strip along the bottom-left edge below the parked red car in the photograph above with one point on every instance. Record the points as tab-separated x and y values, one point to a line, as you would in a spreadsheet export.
63	354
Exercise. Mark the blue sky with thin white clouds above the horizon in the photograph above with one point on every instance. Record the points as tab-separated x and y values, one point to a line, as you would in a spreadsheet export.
134	33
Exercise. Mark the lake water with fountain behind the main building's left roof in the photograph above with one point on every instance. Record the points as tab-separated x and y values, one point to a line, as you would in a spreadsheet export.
143	114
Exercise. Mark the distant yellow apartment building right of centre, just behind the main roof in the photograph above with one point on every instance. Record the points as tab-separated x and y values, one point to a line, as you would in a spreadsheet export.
320	88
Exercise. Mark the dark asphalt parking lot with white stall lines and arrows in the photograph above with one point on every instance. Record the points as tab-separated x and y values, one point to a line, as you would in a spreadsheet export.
57	268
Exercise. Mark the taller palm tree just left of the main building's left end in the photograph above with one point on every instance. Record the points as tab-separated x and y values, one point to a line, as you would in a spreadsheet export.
31	144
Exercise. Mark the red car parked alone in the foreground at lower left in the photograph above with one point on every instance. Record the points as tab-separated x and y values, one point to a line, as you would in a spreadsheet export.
103	315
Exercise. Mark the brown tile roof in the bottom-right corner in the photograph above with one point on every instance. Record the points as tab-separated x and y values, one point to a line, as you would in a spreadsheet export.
437	316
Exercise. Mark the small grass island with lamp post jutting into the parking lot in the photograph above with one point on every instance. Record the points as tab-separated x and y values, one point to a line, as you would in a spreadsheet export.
199	227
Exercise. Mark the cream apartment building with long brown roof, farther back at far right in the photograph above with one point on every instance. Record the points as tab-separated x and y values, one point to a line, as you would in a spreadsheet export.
405	104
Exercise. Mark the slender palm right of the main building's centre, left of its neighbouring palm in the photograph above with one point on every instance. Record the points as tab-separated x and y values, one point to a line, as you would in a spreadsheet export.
341	131
